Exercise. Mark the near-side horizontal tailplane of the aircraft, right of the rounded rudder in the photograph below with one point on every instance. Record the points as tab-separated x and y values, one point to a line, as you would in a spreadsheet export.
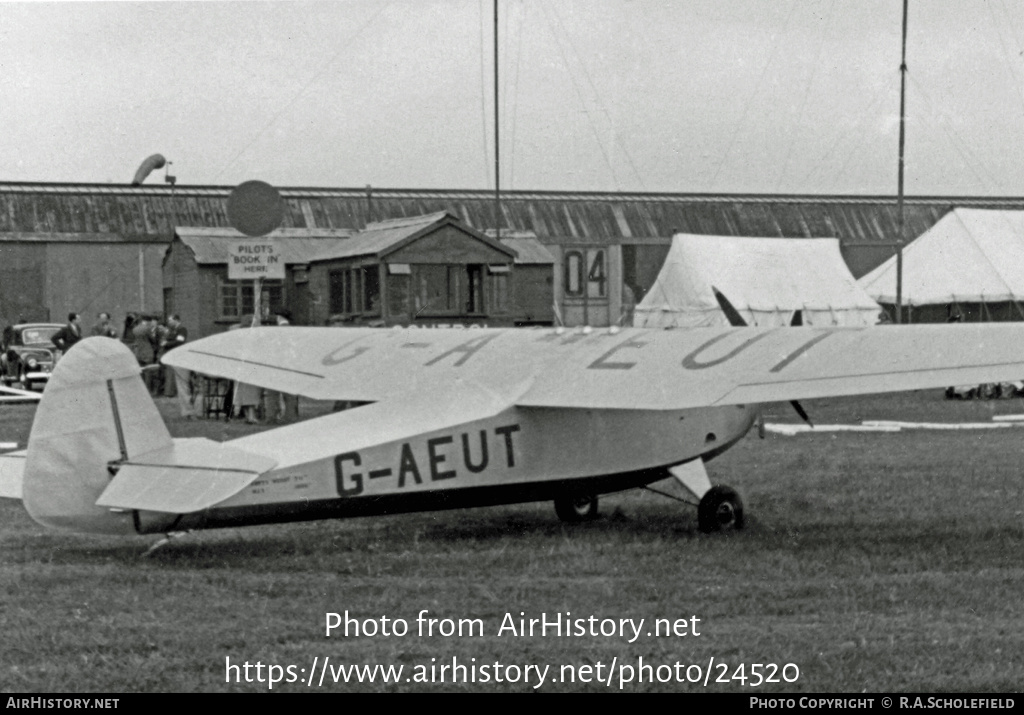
191	476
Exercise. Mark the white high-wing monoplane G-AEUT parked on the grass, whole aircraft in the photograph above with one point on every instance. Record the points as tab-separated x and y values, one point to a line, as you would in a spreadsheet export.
455	418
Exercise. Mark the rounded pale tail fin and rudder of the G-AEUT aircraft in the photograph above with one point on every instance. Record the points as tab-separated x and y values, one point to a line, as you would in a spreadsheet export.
96	413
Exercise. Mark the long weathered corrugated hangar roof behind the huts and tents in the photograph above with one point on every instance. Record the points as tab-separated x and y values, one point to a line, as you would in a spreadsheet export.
866	225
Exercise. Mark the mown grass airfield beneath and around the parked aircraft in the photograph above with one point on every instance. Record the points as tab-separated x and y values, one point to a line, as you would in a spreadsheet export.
872	562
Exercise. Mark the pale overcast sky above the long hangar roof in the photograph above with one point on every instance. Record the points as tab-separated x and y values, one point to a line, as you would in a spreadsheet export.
716	96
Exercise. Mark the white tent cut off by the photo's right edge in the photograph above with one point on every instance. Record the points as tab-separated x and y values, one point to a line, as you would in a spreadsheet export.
970	257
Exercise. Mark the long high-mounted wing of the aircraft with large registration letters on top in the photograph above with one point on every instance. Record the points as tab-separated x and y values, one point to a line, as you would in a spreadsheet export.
613	369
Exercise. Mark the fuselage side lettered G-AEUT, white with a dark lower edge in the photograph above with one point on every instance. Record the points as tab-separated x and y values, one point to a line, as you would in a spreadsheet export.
520	455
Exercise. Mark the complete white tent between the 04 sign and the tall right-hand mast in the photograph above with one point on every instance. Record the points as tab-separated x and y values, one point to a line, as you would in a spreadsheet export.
766	280
